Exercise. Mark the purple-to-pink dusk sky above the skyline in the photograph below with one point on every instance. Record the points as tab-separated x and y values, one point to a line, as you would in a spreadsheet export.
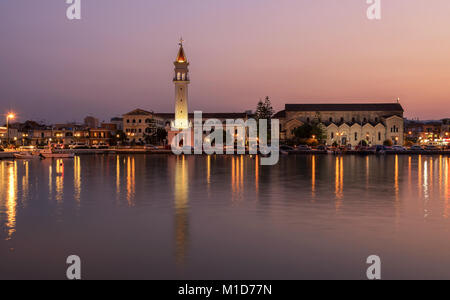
120	55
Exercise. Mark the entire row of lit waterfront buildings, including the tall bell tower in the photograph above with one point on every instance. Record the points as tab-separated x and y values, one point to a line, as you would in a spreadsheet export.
342	124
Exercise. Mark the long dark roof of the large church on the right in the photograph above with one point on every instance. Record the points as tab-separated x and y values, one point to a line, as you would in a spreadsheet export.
346	107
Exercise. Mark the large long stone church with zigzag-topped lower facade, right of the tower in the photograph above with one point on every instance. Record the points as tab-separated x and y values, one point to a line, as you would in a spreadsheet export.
346	124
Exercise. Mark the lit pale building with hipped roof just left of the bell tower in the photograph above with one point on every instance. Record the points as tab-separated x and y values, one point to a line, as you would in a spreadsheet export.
140	124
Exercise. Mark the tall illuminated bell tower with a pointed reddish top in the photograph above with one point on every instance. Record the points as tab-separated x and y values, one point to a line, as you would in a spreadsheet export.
181	81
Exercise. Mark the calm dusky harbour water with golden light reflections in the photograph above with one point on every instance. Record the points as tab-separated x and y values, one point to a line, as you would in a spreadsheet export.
167	217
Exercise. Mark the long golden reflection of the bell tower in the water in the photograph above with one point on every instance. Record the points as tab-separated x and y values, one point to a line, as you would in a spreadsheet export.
181	189
